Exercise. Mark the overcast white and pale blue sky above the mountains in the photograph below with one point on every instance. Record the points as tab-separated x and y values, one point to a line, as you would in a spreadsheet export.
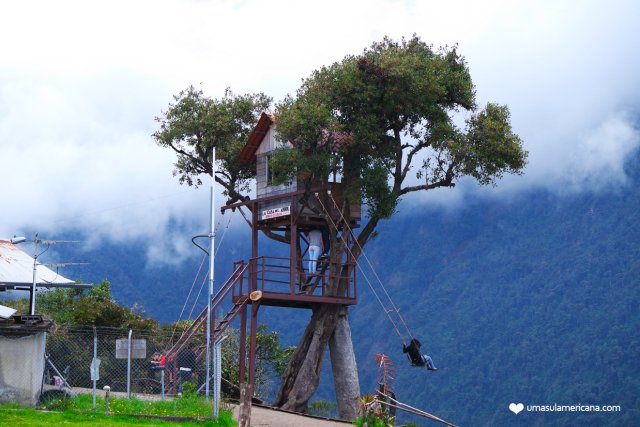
81	83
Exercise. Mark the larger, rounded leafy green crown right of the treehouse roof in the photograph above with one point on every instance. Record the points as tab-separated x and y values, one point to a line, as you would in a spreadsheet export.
373	116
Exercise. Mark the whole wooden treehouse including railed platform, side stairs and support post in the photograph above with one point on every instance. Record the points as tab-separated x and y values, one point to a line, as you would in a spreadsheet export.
285	213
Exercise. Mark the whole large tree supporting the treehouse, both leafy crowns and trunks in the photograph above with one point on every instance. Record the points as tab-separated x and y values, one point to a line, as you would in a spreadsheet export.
387	122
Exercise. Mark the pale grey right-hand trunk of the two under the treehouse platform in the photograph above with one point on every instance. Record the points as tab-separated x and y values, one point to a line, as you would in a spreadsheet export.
345	370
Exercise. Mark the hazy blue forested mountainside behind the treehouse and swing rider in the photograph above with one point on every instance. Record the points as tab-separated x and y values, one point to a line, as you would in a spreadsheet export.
531	300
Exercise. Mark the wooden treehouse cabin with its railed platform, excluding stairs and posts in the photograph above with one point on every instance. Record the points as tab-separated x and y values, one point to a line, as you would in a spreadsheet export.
289	211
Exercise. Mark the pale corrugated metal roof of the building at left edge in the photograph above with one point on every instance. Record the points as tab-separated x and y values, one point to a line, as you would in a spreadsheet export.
16	270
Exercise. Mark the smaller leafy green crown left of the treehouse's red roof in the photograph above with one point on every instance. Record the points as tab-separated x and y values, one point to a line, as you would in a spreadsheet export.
195	124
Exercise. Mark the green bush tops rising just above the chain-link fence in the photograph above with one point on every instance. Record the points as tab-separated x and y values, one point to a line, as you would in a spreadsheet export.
94	307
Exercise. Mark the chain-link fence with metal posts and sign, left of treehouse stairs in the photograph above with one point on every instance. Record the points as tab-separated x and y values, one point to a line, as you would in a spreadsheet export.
70	357
